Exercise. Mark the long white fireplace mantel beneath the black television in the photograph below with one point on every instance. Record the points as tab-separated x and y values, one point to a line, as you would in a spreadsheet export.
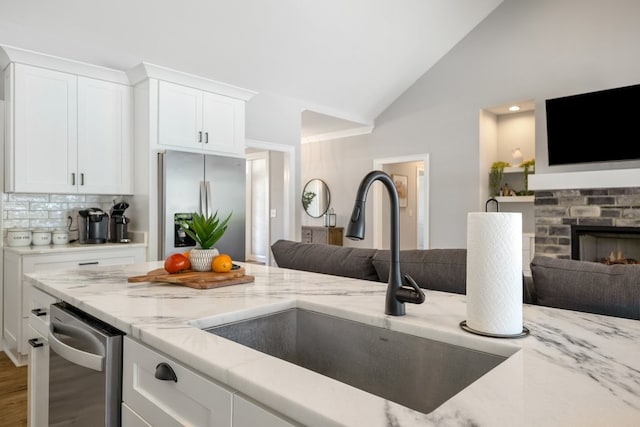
613	178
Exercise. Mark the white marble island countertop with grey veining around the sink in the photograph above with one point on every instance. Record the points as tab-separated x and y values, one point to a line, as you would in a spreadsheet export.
574	369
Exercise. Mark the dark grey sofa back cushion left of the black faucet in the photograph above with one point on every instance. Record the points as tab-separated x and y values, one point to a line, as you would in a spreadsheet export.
328	259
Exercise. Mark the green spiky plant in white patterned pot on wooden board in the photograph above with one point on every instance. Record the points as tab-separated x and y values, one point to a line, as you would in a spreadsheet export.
206	230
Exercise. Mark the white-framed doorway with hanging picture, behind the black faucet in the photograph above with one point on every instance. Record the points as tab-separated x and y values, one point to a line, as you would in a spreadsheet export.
414	217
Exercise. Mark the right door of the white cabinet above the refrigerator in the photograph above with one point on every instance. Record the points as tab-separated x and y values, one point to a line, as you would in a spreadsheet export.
223	124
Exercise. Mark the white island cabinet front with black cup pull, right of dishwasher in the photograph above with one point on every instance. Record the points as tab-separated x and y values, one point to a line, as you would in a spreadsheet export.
189	400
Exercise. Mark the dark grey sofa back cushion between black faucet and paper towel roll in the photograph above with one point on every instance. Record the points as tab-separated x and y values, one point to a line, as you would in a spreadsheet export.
436	269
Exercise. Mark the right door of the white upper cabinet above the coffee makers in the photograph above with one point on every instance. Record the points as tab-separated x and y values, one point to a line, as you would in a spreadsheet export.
104	137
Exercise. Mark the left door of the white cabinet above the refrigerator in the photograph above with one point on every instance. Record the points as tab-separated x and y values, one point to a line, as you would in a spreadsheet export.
179	116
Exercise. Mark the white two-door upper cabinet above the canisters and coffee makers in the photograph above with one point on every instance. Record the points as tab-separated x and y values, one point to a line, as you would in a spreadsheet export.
69	134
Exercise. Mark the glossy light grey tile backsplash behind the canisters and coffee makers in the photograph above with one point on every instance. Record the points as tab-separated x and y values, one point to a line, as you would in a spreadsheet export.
51	211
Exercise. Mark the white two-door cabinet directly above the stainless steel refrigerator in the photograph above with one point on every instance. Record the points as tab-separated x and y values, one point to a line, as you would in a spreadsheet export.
201	121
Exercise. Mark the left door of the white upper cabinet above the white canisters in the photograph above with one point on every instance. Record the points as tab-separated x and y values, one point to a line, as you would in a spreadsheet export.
45	131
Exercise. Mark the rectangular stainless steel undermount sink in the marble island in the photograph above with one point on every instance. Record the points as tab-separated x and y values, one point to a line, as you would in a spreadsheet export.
415	372
